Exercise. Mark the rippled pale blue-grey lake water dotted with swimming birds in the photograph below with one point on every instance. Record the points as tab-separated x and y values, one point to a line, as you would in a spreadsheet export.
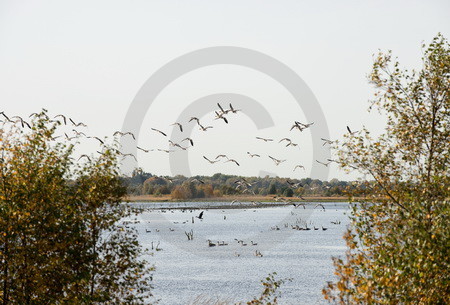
186	269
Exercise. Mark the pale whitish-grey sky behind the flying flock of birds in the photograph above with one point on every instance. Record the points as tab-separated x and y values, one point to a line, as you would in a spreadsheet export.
89	59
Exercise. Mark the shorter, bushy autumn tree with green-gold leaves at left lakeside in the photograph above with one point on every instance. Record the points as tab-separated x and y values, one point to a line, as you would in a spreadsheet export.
61	238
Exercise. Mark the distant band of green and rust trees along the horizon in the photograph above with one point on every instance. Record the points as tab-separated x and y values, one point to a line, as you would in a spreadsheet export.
181	187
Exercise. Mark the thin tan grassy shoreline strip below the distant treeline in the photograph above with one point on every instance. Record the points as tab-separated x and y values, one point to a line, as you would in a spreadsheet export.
228	198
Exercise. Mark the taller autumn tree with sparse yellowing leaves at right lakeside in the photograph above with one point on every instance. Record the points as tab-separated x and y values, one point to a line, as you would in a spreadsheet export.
399	239
